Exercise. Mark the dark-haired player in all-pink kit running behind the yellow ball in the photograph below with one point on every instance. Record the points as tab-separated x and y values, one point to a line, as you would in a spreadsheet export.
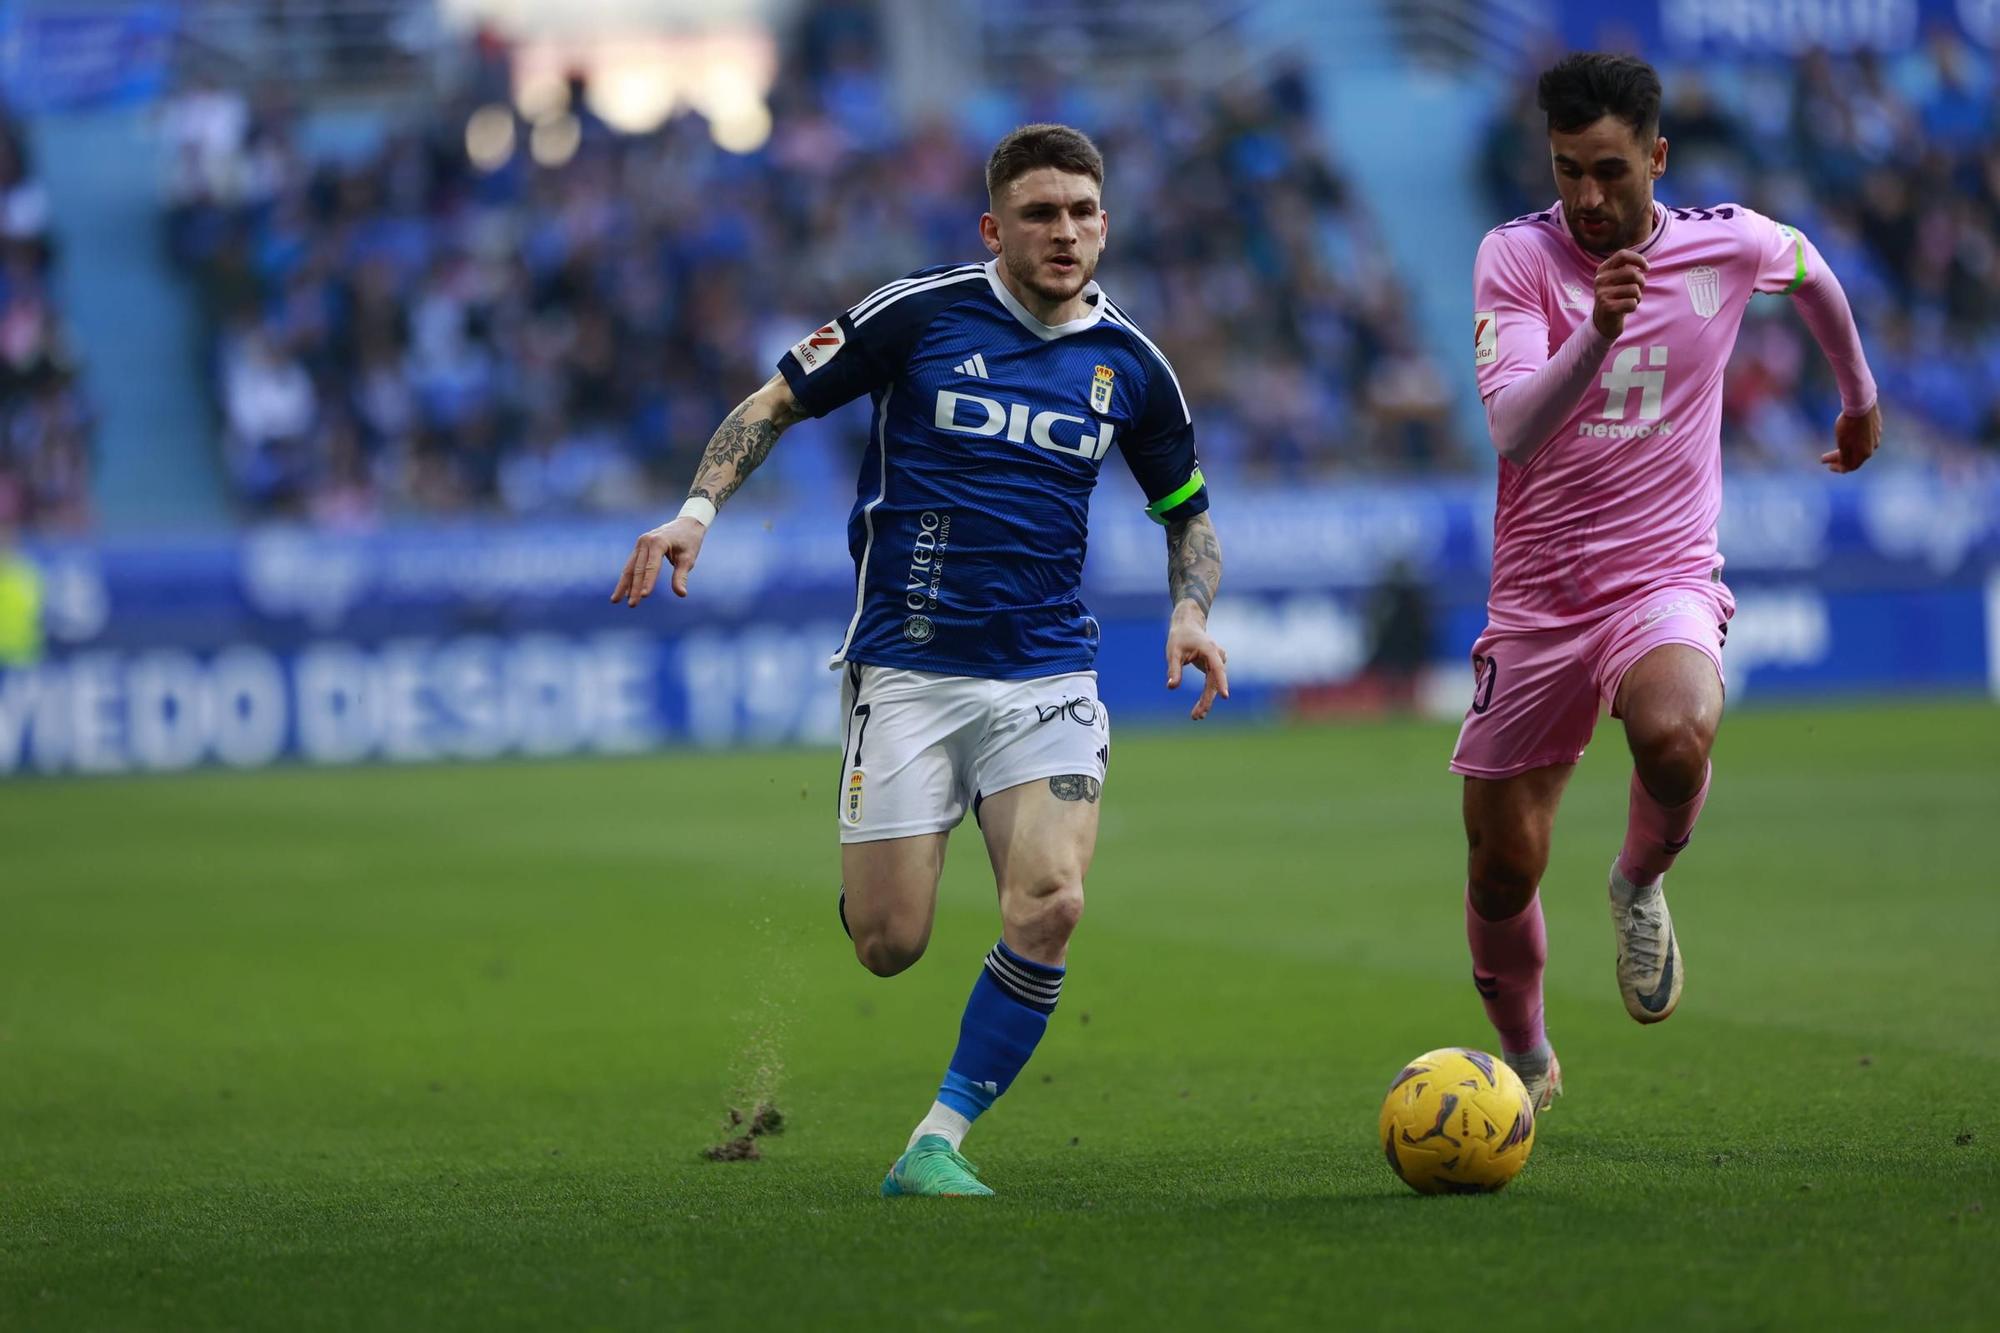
1601	333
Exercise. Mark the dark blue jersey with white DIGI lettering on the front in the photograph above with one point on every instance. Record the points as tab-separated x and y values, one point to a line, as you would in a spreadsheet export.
987	441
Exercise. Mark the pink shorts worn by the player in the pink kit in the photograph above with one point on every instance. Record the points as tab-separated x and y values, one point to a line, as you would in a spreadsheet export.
1537	694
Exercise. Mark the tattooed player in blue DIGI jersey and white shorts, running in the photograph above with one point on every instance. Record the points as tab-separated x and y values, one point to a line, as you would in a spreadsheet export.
969	682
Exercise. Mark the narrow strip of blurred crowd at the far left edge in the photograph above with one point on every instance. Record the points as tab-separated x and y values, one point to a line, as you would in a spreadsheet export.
45	425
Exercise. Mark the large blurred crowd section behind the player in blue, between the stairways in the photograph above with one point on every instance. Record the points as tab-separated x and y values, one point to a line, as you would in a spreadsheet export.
405	329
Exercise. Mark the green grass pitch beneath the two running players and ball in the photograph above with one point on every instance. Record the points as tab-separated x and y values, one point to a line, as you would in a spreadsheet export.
439	1050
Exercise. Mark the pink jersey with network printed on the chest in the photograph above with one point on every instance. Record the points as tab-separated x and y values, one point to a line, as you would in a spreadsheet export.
1625	495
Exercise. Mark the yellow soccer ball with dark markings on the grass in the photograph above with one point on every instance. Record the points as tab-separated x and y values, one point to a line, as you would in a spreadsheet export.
1457	1124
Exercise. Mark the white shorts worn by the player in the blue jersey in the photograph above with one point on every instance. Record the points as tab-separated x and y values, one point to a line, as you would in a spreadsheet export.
923	748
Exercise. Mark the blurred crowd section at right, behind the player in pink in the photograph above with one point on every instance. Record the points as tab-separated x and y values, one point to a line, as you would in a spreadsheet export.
1893	169
